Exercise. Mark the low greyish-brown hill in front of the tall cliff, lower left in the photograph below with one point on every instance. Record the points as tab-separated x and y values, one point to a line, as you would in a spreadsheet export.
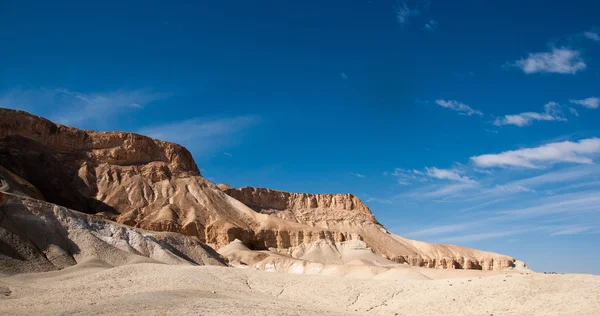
37	236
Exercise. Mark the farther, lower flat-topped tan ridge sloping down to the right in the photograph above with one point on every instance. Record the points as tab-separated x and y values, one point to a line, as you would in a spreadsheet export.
345	212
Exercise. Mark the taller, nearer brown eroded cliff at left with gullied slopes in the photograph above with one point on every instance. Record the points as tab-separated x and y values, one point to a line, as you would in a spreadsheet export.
138	181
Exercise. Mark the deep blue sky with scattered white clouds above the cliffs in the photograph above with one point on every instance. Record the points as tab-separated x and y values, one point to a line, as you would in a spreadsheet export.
466	122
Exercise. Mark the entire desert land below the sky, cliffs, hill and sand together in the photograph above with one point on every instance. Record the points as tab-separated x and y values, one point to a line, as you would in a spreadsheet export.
120	223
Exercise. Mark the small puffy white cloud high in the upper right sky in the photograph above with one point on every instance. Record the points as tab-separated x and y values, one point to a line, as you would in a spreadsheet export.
559	60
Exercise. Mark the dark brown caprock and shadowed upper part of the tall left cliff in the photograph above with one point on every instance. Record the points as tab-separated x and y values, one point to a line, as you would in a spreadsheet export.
63	162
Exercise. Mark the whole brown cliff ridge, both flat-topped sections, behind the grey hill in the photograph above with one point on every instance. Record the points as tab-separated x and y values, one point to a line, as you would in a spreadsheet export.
155	185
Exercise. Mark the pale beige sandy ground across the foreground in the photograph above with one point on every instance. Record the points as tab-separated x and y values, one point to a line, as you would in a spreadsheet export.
94	288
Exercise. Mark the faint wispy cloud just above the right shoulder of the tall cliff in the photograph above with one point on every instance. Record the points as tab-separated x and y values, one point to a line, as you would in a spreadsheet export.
202	135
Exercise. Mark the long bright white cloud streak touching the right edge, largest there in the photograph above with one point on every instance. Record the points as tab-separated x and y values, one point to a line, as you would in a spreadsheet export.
567	151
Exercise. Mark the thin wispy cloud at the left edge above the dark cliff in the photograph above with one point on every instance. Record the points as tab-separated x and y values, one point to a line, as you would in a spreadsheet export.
71	107
